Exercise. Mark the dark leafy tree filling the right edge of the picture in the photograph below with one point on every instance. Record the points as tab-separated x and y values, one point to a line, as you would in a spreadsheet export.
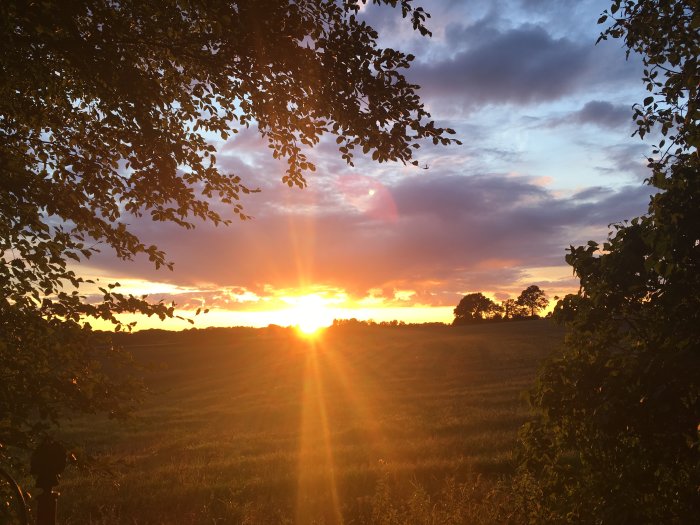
617	438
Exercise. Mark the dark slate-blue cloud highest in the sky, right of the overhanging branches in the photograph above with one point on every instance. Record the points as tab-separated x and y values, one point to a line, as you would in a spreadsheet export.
521	65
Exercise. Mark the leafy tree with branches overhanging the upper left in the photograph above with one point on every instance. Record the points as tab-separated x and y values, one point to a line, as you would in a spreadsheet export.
108	112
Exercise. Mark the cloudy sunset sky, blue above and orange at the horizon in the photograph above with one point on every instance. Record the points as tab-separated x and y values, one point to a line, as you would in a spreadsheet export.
547	161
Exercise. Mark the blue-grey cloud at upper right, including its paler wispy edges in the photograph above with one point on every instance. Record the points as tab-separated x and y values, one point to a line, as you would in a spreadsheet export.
488	62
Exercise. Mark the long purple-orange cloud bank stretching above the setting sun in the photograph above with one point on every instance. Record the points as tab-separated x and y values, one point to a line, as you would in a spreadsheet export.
443	234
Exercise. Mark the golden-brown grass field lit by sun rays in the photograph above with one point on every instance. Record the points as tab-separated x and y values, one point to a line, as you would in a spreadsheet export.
362	425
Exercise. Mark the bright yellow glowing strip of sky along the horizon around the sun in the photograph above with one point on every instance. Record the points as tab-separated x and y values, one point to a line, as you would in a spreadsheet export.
309	307
